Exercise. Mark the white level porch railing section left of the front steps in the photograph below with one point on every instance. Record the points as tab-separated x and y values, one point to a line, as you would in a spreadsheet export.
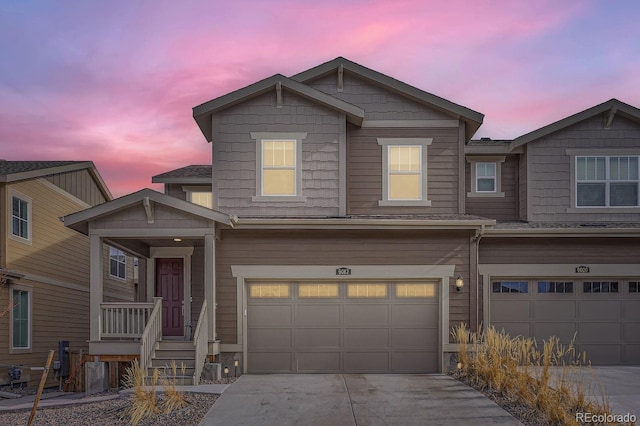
124	320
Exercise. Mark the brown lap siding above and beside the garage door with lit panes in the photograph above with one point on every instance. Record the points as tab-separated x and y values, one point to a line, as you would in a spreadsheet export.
342	248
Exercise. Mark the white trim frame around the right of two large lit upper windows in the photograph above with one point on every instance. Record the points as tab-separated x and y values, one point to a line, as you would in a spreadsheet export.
385	143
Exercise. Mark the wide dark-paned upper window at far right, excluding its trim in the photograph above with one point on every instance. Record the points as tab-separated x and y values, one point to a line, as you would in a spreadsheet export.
607	181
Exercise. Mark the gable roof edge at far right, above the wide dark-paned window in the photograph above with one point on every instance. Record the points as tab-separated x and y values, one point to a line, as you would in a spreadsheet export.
611	107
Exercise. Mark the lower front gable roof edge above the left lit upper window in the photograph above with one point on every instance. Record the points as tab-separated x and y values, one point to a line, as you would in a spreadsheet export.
203	113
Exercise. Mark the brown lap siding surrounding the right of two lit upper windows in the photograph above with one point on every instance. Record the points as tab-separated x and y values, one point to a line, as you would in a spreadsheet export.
364	170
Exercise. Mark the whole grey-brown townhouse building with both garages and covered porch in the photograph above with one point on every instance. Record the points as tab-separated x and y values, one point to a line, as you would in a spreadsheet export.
348	221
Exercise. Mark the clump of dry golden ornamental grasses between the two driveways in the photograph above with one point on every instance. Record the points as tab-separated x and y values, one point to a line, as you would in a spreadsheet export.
517	370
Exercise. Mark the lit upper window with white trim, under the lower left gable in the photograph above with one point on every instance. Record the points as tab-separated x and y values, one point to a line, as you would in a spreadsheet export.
278	166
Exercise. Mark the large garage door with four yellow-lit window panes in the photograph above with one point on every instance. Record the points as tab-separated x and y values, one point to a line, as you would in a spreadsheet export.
323	327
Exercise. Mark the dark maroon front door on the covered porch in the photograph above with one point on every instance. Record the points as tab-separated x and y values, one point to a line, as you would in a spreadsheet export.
170	286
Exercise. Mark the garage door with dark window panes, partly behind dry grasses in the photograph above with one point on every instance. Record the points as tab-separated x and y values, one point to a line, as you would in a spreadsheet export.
603	314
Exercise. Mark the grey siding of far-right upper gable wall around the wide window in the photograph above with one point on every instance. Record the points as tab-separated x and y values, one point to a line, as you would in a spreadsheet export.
550	168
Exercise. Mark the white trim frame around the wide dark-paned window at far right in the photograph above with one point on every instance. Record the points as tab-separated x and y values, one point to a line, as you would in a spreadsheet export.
615	152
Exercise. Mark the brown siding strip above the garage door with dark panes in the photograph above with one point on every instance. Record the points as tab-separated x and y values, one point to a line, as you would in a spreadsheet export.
559	250
